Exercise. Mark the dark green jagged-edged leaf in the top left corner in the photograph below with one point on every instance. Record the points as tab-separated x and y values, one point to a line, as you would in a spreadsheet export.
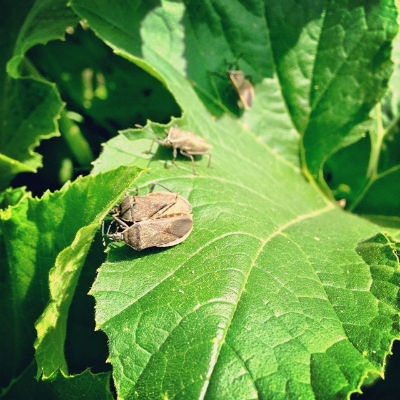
29	106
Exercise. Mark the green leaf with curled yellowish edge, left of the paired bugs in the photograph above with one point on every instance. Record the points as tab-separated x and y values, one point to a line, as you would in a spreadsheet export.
41	238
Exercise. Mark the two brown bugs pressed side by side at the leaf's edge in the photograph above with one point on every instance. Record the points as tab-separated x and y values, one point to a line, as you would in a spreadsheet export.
157	219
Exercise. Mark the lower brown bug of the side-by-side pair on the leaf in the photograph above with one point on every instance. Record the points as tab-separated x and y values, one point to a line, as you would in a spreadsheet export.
165	231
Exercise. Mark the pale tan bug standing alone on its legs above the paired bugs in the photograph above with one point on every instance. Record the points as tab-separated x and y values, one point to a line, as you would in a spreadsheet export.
188	143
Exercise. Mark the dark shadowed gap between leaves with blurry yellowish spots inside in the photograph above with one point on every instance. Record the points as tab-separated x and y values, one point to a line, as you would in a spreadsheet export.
107	89
